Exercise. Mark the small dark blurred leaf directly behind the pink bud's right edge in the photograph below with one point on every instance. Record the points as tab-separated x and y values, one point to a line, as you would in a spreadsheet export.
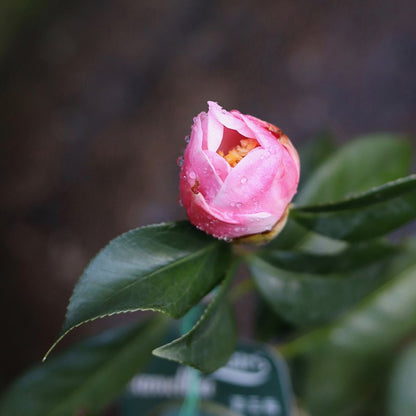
313	154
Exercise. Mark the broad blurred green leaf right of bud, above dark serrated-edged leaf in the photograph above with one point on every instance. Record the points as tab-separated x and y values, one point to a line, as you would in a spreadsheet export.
361	164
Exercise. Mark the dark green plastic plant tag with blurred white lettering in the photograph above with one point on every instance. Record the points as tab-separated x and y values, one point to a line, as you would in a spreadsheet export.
254	382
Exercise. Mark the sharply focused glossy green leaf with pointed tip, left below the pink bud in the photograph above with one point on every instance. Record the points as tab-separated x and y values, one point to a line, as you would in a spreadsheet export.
165	267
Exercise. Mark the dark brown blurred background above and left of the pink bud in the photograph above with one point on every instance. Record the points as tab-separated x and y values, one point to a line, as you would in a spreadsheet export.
97	96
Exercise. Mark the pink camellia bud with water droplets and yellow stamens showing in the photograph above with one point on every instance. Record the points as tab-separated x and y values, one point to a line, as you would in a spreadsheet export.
238	175
